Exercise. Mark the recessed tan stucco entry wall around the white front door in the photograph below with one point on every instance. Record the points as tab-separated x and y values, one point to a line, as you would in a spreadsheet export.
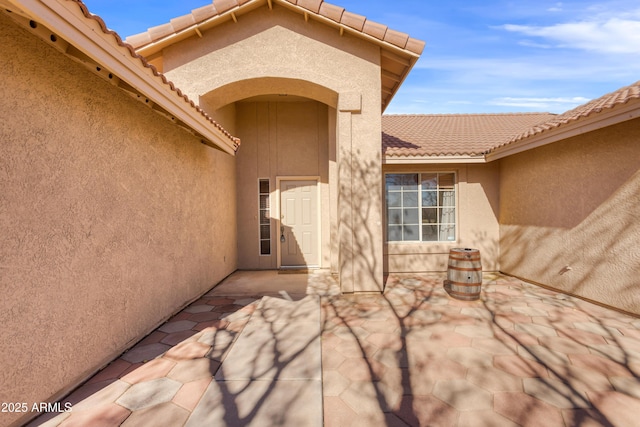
279	139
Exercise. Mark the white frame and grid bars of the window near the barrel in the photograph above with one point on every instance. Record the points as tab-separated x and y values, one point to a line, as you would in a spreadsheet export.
420	219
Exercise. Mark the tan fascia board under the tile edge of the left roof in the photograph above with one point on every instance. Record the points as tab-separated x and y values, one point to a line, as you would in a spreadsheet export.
69	24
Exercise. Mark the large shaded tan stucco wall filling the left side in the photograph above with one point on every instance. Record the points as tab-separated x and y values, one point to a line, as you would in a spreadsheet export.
111	218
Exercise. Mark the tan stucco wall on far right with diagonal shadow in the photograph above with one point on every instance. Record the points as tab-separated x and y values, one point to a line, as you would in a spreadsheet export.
576	204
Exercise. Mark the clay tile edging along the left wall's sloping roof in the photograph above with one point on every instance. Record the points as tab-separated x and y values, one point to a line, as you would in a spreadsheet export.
156	74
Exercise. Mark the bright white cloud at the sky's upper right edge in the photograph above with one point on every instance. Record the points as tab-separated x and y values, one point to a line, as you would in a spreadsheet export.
613	35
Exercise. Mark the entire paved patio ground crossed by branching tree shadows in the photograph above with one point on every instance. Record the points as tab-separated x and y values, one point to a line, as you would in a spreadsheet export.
266	349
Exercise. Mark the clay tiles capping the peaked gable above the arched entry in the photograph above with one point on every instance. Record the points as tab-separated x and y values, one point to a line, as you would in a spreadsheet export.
318	7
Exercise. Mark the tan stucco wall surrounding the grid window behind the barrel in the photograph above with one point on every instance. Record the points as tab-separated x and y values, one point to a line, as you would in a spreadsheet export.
477	220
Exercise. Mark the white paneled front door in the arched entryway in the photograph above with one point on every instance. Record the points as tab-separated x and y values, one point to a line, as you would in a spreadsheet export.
299	230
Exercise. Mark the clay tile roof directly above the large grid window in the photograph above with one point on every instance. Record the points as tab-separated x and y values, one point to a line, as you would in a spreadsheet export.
452	134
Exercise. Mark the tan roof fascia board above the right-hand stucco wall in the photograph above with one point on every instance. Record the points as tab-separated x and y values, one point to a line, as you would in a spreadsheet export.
629	111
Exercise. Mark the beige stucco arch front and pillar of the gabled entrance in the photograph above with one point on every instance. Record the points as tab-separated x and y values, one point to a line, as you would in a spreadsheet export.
279	52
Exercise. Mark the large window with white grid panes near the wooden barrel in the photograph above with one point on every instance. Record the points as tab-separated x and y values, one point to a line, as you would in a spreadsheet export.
421	207
